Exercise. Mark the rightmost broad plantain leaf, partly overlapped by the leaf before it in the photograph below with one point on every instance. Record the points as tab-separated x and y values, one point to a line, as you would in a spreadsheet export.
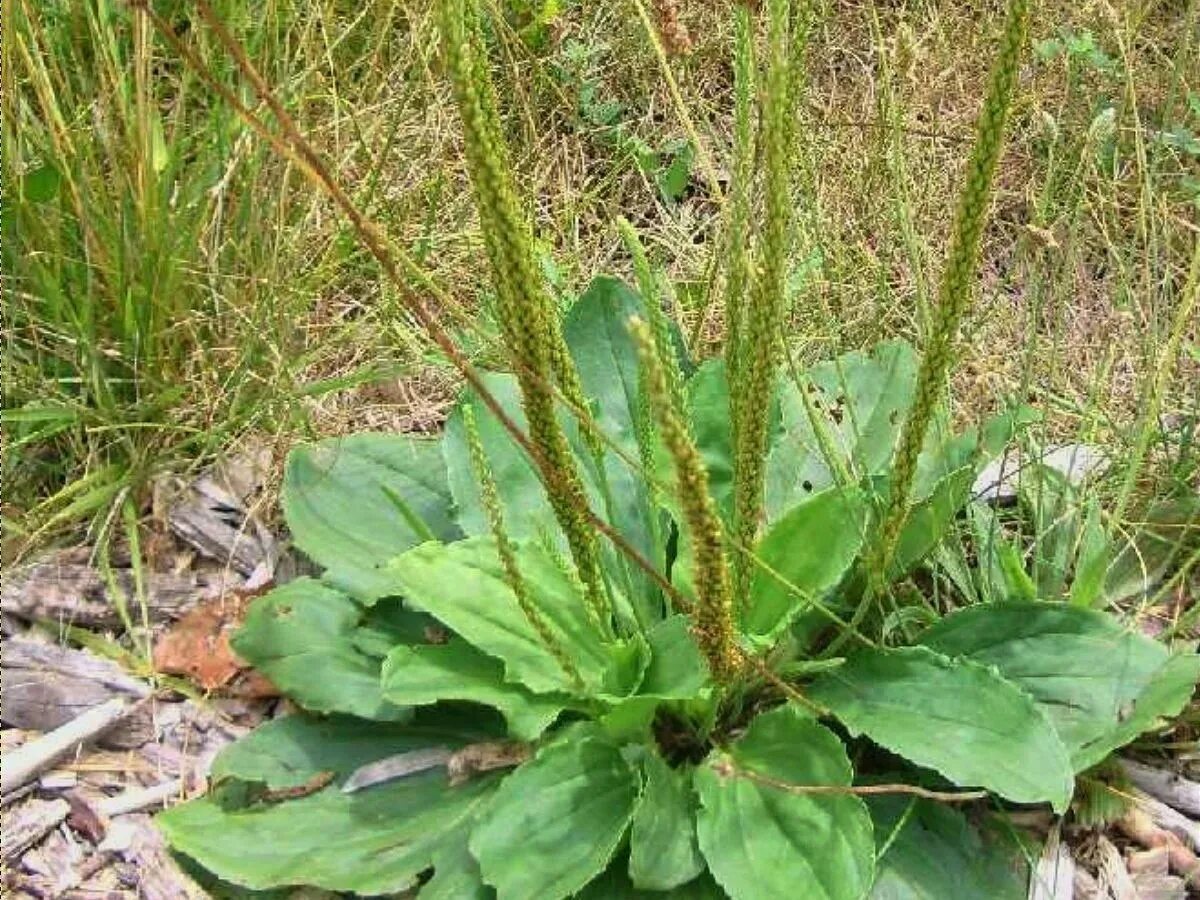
1090	676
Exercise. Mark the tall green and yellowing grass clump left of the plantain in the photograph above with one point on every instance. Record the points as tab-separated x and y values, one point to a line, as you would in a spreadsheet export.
155	256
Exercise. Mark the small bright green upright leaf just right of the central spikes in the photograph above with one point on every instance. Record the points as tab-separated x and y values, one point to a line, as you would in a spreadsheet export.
812	548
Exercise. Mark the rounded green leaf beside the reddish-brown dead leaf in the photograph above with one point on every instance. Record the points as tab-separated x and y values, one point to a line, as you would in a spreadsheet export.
302	637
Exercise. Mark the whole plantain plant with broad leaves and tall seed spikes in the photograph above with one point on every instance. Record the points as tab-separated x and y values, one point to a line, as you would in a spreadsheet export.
639	625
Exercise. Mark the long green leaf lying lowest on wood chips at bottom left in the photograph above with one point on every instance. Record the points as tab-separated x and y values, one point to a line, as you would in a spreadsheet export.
375	842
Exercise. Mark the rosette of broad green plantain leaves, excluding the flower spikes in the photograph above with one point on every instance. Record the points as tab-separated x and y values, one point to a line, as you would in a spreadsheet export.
644	775
